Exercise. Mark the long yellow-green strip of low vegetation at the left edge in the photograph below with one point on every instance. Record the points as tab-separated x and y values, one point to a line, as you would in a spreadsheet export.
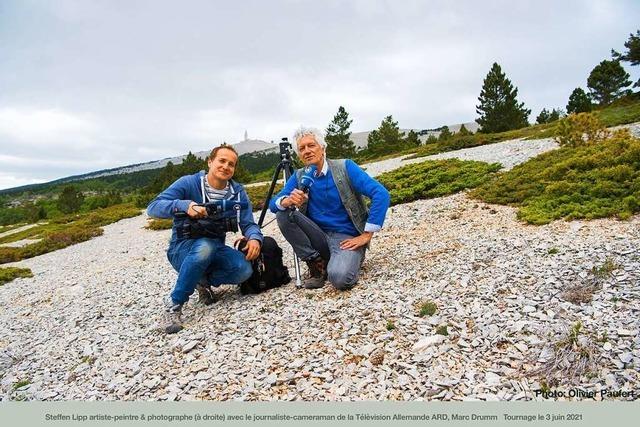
63	232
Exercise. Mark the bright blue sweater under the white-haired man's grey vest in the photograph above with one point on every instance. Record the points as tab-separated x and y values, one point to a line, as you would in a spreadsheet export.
325	207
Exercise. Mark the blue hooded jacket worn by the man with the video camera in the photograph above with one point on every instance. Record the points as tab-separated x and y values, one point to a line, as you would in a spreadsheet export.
179	195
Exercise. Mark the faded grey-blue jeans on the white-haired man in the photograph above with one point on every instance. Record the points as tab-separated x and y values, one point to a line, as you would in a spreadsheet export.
343	267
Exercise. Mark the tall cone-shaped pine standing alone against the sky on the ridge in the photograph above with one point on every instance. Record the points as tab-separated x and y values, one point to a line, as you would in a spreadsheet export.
499	108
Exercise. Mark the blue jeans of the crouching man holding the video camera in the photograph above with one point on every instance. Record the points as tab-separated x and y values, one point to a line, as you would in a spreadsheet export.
207	259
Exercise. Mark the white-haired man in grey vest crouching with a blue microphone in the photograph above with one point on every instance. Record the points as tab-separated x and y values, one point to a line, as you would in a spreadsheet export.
336	210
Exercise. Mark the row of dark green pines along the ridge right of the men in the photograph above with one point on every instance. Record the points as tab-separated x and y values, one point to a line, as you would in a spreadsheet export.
499	109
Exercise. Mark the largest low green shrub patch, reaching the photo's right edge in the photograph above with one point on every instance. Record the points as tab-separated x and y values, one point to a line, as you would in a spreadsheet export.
585	182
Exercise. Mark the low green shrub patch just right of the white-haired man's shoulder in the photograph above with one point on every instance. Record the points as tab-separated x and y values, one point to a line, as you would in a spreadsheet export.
435	178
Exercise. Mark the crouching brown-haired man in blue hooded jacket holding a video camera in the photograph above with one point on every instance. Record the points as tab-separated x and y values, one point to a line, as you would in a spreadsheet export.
205	261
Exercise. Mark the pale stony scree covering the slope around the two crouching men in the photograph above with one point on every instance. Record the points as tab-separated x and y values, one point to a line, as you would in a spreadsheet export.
86	326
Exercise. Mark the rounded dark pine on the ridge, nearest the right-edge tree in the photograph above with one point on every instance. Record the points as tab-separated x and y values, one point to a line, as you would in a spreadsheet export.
607	82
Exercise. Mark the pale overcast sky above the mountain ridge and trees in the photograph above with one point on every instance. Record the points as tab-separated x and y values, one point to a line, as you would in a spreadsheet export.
88	85
